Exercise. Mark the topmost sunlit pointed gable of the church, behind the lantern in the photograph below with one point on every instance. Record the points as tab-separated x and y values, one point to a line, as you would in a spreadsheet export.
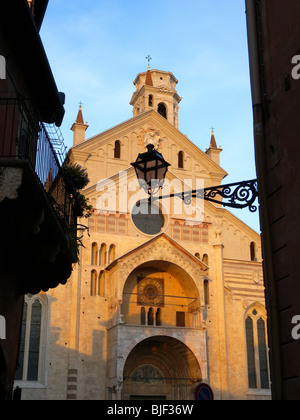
97	153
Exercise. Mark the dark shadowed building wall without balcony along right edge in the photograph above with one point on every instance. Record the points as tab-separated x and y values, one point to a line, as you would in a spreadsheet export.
274	33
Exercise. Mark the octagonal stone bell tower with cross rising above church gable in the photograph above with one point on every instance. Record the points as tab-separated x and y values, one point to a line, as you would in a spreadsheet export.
156	89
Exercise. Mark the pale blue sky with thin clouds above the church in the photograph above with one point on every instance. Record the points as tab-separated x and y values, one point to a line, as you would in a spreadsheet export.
97	47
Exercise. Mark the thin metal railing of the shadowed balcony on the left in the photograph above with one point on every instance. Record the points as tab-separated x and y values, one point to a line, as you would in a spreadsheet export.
23	136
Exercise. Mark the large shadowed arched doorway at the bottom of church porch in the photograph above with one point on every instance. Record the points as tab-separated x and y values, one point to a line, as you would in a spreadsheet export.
161	367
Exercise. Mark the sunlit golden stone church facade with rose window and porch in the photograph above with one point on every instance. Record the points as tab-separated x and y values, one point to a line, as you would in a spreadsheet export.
166	295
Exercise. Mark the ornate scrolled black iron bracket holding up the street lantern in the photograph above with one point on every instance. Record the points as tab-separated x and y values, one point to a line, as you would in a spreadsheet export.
238	195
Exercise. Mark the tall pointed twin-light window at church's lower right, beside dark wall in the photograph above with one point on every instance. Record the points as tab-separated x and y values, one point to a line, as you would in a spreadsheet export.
257	357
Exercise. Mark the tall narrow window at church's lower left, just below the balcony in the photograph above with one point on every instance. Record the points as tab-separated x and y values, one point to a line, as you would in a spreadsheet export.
31	363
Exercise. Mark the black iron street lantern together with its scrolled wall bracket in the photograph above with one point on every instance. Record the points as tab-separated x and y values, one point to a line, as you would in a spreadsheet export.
151	169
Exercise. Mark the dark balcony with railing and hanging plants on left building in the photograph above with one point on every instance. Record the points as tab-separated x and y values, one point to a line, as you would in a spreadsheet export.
39	204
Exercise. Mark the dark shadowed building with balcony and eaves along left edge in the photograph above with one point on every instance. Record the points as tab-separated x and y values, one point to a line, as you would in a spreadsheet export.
38	207
